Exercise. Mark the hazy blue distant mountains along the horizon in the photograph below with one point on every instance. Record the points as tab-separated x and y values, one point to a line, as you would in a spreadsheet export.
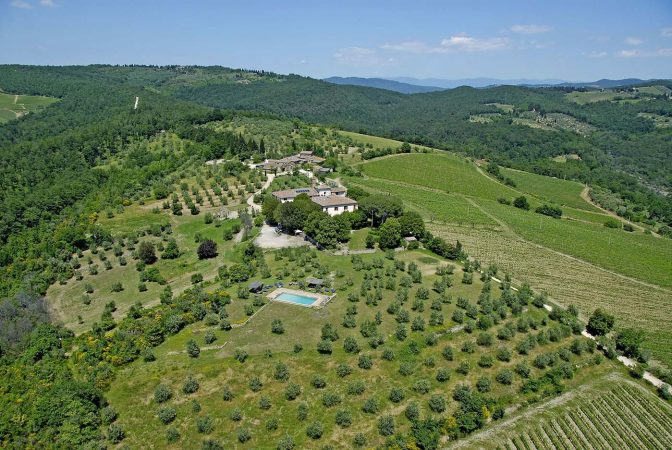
409	85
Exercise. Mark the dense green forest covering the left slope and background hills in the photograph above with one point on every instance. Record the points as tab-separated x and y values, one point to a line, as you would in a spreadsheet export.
61	167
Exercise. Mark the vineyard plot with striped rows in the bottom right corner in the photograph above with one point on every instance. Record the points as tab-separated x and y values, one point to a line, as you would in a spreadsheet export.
623	416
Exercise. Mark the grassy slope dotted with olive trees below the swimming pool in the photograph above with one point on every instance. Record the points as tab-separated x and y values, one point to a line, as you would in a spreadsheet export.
411	367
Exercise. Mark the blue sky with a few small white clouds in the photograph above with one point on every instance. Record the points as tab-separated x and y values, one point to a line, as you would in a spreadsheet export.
571	40
